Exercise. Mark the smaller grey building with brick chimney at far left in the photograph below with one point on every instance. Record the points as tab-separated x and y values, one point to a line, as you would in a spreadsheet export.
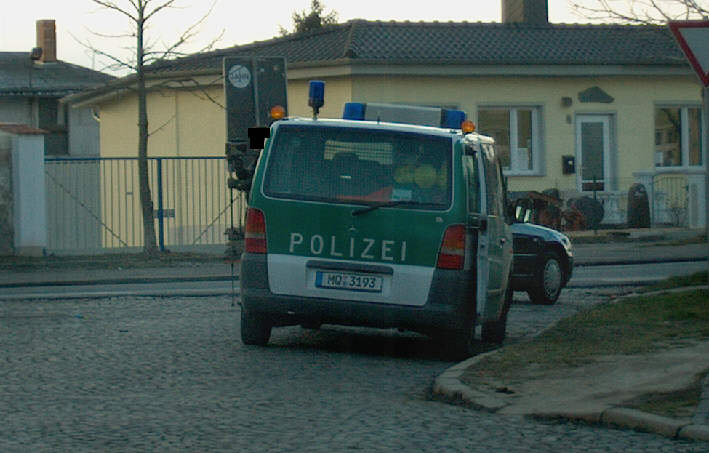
33	82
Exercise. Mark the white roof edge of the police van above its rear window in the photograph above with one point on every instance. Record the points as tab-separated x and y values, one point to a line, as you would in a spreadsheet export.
382	125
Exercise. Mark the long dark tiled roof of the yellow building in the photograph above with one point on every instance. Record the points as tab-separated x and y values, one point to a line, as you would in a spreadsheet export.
458	43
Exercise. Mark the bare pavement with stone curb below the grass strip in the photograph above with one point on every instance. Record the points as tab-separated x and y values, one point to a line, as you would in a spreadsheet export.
592	393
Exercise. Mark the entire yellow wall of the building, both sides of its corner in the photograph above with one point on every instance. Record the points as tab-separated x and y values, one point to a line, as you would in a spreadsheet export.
187	123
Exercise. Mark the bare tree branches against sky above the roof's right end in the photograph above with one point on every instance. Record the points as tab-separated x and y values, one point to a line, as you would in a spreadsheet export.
642	11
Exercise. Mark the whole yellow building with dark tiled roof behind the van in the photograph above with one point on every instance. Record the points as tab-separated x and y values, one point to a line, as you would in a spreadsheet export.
578	108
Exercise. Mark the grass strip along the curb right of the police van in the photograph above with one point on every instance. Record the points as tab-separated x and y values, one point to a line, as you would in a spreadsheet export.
630	326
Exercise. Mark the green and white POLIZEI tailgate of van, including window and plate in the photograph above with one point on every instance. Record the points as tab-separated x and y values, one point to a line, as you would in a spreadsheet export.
355	214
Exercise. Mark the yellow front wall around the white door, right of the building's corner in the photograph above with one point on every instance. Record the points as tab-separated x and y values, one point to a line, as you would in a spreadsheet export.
632	109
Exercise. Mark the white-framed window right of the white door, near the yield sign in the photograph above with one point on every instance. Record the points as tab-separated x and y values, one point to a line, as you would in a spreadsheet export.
678	136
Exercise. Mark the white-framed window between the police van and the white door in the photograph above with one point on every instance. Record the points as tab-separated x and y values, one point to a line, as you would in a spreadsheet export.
517	135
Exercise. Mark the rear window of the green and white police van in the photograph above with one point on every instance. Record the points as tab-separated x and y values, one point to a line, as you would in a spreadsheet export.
344	165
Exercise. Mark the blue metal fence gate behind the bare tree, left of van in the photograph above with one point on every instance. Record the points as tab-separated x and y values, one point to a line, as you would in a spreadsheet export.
94	204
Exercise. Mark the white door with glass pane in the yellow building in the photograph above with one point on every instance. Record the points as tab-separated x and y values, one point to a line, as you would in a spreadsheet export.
593	152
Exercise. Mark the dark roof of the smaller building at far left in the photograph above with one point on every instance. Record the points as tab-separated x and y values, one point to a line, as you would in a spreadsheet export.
20	76
